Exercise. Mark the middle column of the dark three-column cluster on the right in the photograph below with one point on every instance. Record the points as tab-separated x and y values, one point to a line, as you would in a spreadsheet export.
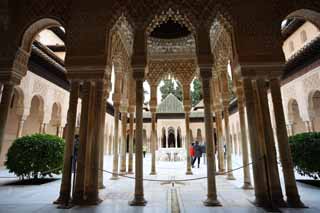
274	179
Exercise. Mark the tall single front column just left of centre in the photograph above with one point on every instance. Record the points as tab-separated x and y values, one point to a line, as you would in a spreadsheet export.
138	192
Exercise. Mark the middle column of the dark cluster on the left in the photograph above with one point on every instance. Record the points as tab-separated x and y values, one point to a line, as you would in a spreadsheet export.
78	196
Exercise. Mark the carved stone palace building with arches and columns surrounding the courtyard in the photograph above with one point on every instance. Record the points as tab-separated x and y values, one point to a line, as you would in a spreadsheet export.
78	67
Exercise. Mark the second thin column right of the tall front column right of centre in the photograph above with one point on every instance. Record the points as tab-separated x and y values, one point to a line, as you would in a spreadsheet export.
228	141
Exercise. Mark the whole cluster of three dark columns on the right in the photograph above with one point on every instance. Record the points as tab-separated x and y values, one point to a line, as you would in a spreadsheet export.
265	168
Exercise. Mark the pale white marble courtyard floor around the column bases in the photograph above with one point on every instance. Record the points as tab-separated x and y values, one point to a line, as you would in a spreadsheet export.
117	193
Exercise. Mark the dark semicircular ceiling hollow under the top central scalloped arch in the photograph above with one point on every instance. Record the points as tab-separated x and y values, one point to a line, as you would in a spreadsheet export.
170	30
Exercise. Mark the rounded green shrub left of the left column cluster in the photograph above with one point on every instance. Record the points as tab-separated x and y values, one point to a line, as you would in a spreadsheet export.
35	156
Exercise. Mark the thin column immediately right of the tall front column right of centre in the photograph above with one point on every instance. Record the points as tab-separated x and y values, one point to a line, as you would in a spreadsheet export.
221	165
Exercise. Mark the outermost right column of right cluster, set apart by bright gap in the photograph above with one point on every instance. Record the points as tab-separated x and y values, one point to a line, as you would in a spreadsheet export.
293	198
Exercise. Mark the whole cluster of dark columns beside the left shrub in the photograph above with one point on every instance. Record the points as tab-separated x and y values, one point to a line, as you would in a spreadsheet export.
91	128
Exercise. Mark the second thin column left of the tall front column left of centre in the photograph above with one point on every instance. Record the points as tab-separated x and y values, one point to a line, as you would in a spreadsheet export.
123	157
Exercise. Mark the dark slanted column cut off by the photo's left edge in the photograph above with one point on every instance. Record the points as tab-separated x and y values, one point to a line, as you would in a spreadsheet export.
6	98
